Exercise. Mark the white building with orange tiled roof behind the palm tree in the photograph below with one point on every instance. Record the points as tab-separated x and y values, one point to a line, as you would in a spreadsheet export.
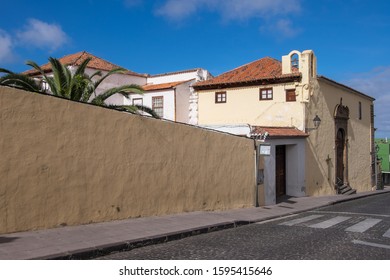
171	94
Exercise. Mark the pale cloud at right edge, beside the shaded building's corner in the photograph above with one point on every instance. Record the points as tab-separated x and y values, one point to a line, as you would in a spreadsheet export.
376	83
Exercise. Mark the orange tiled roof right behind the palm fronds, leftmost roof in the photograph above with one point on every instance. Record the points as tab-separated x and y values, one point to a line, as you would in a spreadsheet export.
77	58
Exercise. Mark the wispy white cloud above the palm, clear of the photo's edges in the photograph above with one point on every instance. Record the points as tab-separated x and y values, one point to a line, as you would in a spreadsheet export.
42	35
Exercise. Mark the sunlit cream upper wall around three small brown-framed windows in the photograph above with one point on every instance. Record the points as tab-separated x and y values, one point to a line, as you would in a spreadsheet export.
243	106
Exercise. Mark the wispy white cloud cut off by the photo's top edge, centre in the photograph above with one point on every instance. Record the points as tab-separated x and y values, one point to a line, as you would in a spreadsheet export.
228	9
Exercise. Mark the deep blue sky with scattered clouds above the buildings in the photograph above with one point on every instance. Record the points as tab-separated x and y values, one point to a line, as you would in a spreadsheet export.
351	38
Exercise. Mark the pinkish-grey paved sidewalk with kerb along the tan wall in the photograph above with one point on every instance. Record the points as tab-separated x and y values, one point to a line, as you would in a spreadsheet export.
86	241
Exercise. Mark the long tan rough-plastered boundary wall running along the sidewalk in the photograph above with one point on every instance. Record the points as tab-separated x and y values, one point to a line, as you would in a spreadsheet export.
68	163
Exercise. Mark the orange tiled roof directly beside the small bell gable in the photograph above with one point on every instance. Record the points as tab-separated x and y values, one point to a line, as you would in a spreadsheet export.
262	70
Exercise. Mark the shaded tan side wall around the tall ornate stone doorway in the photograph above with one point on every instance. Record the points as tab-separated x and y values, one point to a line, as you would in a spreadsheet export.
320	150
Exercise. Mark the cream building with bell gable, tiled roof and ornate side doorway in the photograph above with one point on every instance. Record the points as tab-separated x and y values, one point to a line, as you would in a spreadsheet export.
281	100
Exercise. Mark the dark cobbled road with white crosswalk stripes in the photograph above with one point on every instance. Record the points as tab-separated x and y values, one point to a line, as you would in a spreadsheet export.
357	229
